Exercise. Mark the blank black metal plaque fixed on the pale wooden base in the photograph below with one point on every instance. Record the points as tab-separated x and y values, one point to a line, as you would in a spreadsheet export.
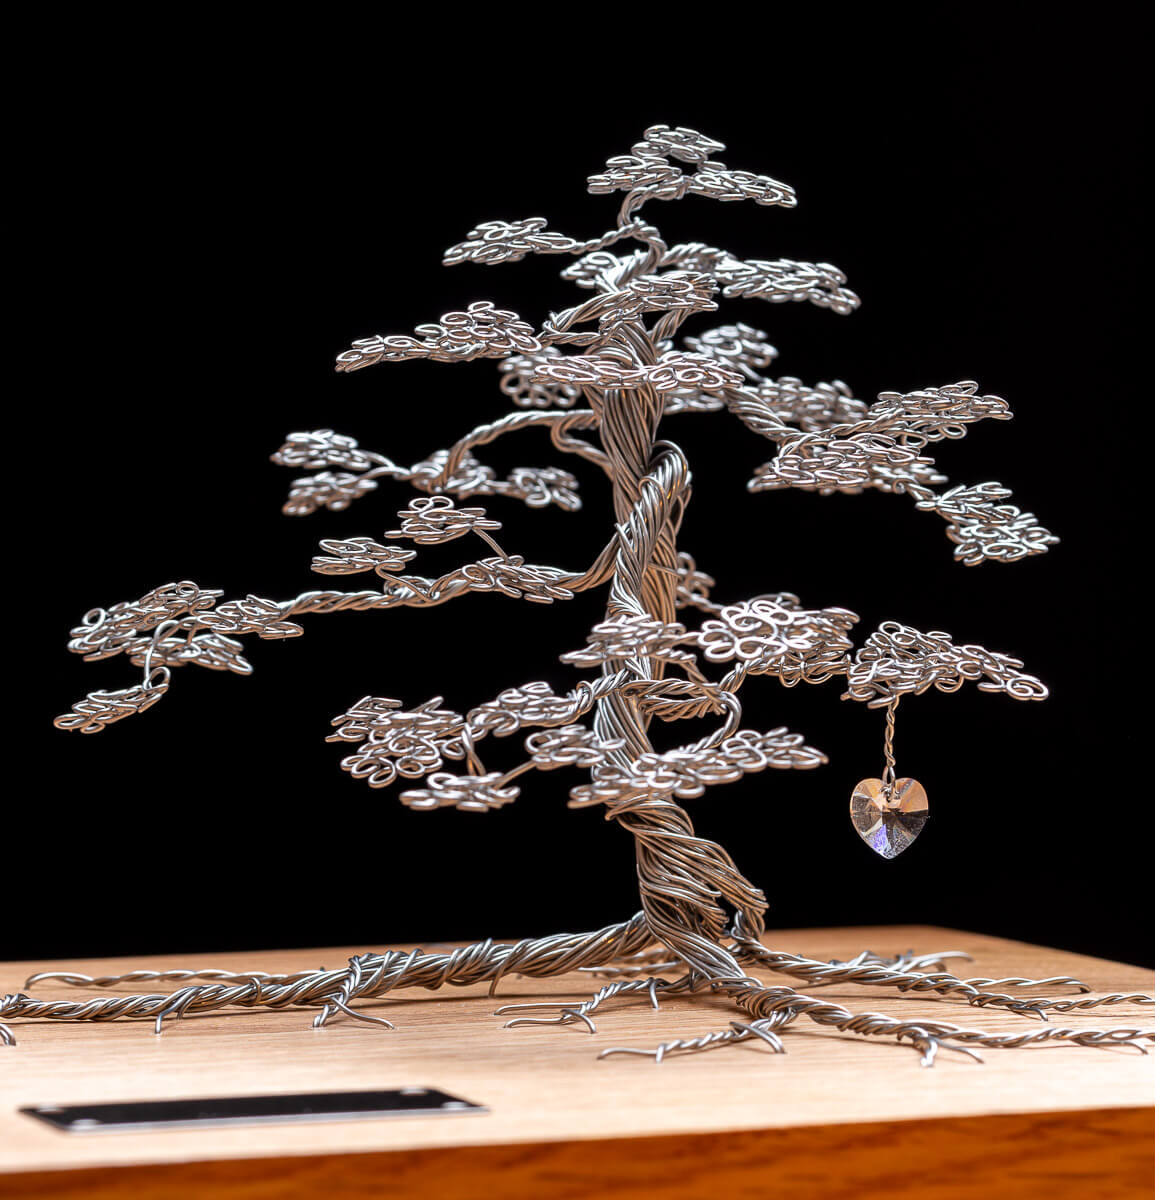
231	1111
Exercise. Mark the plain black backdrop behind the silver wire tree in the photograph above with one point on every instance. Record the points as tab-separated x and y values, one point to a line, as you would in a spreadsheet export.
230	211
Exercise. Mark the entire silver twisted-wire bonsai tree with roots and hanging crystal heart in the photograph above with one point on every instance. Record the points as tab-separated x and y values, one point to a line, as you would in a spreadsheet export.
612	368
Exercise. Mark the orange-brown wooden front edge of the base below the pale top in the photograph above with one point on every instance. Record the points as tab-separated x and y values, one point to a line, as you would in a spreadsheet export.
1105	1154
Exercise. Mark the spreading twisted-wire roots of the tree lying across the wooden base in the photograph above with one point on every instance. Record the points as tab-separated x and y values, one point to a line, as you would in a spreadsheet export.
625	953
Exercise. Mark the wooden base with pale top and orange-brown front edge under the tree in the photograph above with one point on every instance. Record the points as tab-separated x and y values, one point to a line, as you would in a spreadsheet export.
837	1115
